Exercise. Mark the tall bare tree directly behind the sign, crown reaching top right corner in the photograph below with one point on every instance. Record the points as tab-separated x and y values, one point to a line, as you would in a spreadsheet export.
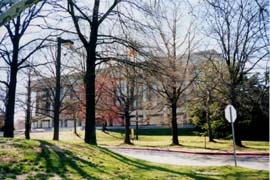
239	28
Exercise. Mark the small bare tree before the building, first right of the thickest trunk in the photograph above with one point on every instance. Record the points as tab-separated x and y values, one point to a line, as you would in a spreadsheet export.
123	92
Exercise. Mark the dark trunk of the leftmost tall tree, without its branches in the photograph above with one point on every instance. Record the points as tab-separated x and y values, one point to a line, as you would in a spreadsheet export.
10	106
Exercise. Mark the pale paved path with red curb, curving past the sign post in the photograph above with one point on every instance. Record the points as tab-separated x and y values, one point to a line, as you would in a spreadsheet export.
194	159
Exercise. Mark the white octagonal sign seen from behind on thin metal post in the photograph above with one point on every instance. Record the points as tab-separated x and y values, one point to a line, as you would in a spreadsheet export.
230	115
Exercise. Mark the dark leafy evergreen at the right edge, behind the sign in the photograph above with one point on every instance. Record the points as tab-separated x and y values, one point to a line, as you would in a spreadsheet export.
254	106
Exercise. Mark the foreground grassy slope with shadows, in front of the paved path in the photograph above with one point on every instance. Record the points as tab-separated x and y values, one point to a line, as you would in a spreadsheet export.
45	159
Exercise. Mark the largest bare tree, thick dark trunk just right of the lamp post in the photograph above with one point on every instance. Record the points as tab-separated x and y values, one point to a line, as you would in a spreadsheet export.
88	19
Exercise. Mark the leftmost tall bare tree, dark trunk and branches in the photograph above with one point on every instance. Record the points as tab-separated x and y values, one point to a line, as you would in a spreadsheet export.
11	50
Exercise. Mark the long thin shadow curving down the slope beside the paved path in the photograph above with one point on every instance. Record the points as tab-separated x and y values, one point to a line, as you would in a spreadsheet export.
143	166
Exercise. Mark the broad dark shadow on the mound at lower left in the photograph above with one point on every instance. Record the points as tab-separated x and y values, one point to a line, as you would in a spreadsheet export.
58	161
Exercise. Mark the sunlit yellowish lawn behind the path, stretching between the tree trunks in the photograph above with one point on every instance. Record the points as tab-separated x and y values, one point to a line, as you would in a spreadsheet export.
186	139
